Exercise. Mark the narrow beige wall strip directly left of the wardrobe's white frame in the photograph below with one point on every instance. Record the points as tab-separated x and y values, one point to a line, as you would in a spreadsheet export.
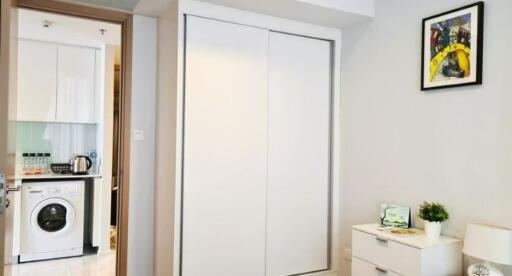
166	139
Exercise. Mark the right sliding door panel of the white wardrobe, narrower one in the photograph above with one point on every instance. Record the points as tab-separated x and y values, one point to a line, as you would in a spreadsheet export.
298	155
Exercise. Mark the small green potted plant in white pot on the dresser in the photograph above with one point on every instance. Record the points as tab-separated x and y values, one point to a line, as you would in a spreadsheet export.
433	214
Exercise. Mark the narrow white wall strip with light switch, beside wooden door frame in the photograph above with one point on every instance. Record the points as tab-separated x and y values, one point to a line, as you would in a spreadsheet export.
142	160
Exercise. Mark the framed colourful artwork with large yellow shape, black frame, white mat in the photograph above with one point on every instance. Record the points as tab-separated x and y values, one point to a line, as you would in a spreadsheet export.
452	48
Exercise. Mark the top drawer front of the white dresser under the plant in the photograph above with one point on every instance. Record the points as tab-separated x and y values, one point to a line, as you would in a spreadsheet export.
385	253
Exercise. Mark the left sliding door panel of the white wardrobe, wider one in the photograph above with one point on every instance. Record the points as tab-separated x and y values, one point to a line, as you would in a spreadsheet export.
225	149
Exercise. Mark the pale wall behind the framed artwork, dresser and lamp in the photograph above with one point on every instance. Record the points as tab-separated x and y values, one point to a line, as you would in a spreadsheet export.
402	145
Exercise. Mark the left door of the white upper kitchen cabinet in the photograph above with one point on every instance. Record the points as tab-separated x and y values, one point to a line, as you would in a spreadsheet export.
37	81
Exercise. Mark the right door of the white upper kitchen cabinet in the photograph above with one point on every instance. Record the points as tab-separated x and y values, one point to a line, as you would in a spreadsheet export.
76	84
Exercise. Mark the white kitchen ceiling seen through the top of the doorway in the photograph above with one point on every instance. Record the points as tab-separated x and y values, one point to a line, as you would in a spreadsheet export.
67	29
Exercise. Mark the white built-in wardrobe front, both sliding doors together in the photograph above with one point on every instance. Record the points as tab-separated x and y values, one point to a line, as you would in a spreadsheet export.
256	180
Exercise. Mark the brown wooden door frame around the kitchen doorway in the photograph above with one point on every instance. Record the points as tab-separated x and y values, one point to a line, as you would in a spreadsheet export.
126	21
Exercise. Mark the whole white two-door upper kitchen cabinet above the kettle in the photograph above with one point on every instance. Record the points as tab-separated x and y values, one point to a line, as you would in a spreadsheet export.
56	83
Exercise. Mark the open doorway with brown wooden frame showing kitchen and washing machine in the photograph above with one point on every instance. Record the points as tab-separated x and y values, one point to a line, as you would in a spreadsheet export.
89	129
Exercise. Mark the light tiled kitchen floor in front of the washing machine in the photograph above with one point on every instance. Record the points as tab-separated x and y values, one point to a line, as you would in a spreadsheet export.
89	265
